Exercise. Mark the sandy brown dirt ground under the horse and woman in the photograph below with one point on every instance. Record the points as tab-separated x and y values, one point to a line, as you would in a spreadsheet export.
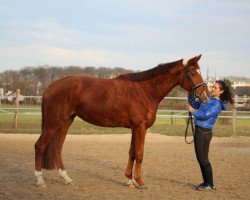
96	164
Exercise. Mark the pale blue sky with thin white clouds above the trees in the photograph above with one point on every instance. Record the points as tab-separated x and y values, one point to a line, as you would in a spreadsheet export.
133	34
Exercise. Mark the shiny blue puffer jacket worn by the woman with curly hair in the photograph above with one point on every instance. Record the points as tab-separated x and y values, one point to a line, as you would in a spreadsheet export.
207	113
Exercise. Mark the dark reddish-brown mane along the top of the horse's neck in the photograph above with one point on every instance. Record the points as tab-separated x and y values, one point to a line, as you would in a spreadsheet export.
148	74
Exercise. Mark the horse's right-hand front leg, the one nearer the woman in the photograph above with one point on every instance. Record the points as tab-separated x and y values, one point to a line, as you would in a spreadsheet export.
139	134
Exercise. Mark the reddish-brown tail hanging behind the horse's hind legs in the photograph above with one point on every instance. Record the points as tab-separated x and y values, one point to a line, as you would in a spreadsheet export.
50	157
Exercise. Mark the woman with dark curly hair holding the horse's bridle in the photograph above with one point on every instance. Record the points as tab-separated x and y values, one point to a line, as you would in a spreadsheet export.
205	115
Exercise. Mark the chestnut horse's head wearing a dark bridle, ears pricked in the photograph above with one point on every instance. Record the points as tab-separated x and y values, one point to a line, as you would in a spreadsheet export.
192	81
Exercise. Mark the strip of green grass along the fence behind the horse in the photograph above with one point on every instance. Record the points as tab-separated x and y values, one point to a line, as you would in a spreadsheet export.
32	124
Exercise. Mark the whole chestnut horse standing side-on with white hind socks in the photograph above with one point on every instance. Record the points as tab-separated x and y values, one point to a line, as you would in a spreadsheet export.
129	100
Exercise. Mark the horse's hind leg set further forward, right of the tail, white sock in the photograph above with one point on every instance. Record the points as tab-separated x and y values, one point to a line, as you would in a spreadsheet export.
61	137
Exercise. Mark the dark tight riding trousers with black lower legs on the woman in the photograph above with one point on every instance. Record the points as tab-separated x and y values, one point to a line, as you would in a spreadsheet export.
202	140
